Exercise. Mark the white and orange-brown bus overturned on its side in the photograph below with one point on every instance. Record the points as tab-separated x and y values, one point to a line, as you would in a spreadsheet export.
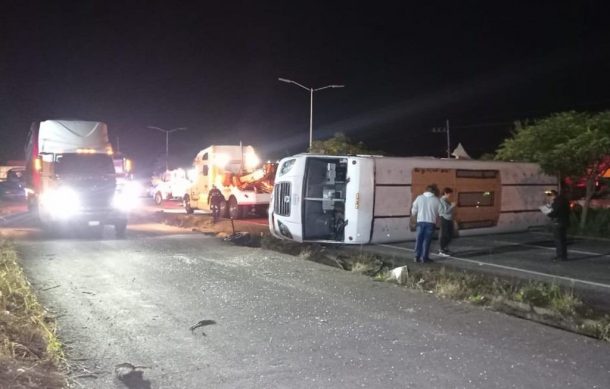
367	199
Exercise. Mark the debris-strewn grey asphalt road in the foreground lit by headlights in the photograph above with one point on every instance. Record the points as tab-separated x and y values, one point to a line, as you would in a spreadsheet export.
276	321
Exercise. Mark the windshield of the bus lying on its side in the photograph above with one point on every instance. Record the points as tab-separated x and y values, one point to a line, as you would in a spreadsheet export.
324	199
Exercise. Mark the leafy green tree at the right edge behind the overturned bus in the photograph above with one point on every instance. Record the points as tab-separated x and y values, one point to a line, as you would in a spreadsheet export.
567	144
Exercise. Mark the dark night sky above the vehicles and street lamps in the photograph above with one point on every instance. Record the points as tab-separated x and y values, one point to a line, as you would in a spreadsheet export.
214	68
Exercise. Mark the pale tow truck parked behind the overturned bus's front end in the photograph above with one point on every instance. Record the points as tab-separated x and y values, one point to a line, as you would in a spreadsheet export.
237	172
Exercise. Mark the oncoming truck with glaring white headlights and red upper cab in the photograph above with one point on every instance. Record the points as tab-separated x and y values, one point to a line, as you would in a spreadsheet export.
71	178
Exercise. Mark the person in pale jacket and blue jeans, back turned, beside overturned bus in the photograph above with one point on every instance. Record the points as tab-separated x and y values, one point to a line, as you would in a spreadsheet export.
426	208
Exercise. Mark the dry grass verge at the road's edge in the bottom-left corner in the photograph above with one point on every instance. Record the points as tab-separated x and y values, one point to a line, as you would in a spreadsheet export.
30	353
